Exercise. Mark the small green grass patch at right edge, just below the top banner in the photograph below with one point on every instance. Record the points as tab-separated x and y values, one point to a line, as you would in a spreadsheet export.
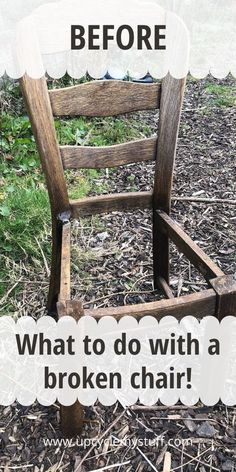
223	95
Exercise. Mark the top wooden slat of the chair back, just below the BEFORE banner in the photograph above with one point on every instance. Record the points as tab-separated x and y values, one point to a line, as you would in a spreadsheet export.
104	98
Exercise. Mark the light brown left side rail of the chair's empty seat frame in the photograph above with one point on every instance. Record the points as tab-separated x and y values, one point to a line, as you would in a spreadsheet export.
65	263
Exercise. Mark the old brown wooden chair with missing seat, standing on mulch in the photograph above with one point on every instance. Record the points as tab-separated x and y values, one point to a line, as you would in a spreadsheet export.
103	98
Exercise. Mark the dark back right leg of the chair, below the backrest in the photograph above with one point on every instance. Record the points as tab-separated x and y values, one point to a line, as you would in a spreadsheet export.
160	253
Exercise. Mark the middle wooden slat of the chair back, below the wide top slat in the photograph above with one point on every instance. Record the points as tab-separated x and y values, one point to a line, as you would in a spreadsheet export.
88	157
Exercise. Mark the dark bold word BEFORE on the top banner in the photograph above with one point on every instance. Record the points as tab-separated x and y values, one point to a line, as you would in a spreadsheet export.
96	37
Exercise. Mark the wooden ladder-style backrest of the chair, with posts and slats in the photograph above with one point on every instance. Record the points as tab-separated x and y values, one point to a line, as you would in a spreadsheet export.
105	98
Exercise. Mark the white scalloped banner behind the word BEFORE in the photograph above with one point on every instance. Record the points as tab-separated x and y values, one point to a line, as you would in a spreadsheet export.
24	25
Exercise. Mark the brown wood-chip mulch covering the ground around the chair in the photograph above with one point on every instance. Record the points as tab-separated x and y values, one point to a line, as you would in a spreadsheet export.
112	264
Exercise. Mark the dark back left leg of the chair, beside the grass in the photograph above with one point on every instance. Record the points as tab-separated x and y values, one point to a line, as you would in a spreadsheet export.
54	288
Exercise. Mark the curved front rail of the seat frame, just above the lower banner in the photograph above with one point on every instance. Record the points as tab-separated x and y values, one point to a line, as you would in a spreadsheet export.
197	304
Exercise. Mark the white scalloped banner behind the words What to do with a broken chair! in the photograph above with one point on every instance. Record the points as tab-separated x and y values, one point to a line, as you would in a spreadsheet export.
213	377
